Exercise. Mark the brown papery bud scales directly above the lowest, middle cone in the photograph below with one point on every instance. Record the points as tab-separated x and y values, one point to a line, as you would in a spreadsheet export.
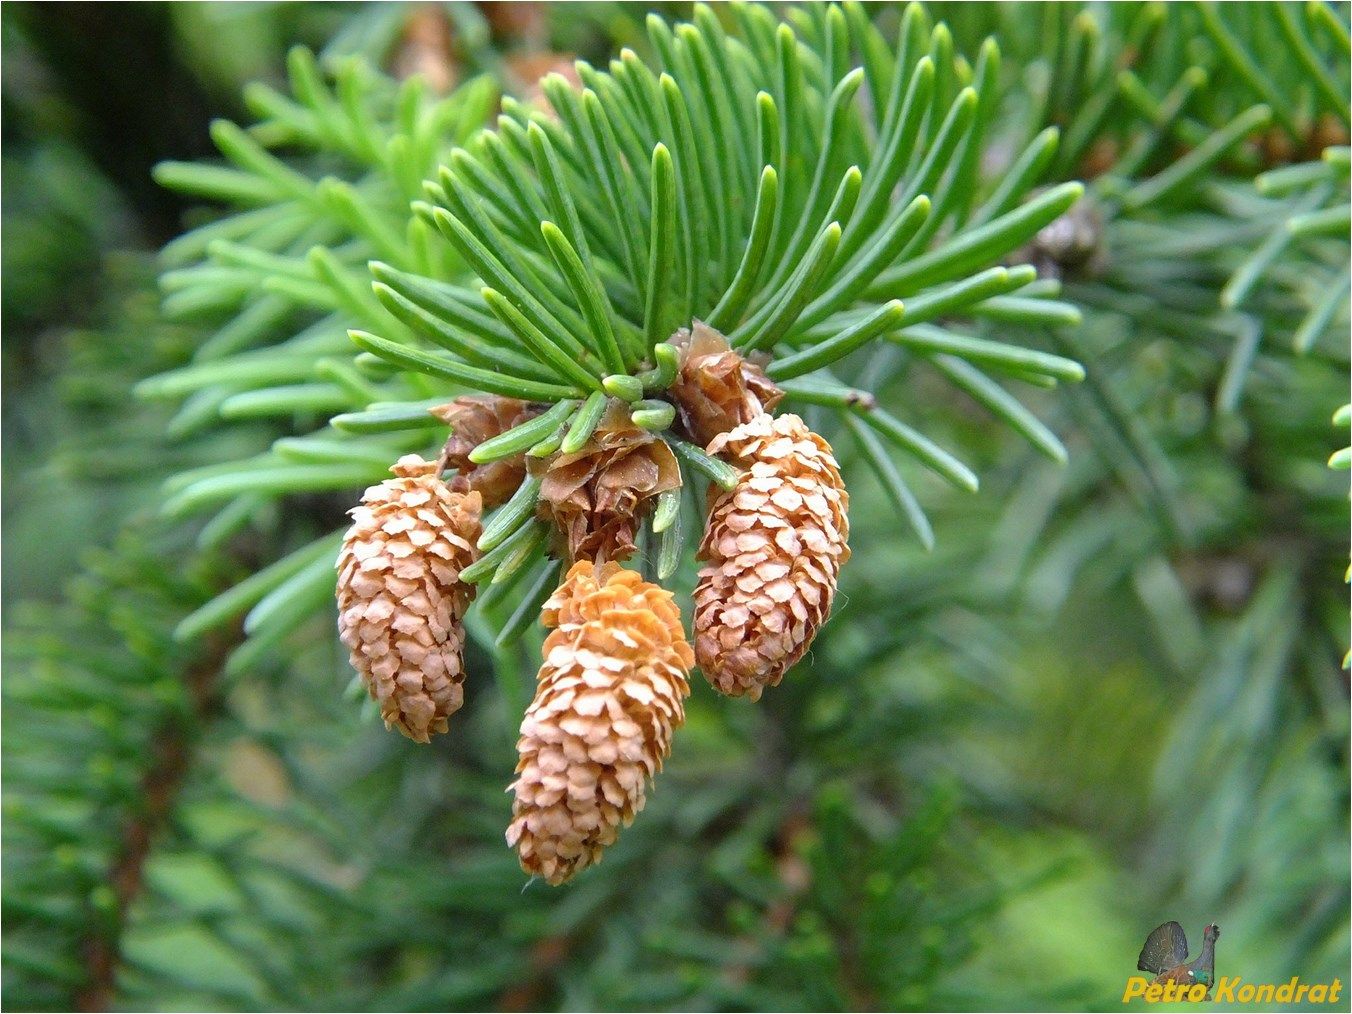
597	496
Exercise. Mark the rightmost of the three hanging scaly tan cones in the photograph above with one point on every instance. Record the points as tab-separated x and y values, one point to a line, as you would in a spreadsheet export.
775	546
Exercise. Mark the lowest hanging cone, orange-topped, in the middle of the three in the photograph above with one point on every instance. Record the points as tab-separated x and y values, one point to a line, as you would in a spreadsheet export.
610	697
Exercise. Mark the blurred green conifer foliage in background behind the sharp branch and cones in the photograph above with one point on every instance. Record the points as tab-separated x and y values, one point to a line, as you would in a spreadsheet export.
1108	698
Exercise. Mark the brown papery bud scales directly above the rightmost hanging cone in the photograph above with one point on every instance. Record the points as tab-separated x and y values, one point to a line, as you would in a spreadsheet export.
716	389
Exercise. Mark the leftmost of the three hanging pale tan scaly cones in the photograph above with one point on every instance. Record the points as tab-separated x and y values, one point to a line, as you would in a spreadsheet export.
401	601
